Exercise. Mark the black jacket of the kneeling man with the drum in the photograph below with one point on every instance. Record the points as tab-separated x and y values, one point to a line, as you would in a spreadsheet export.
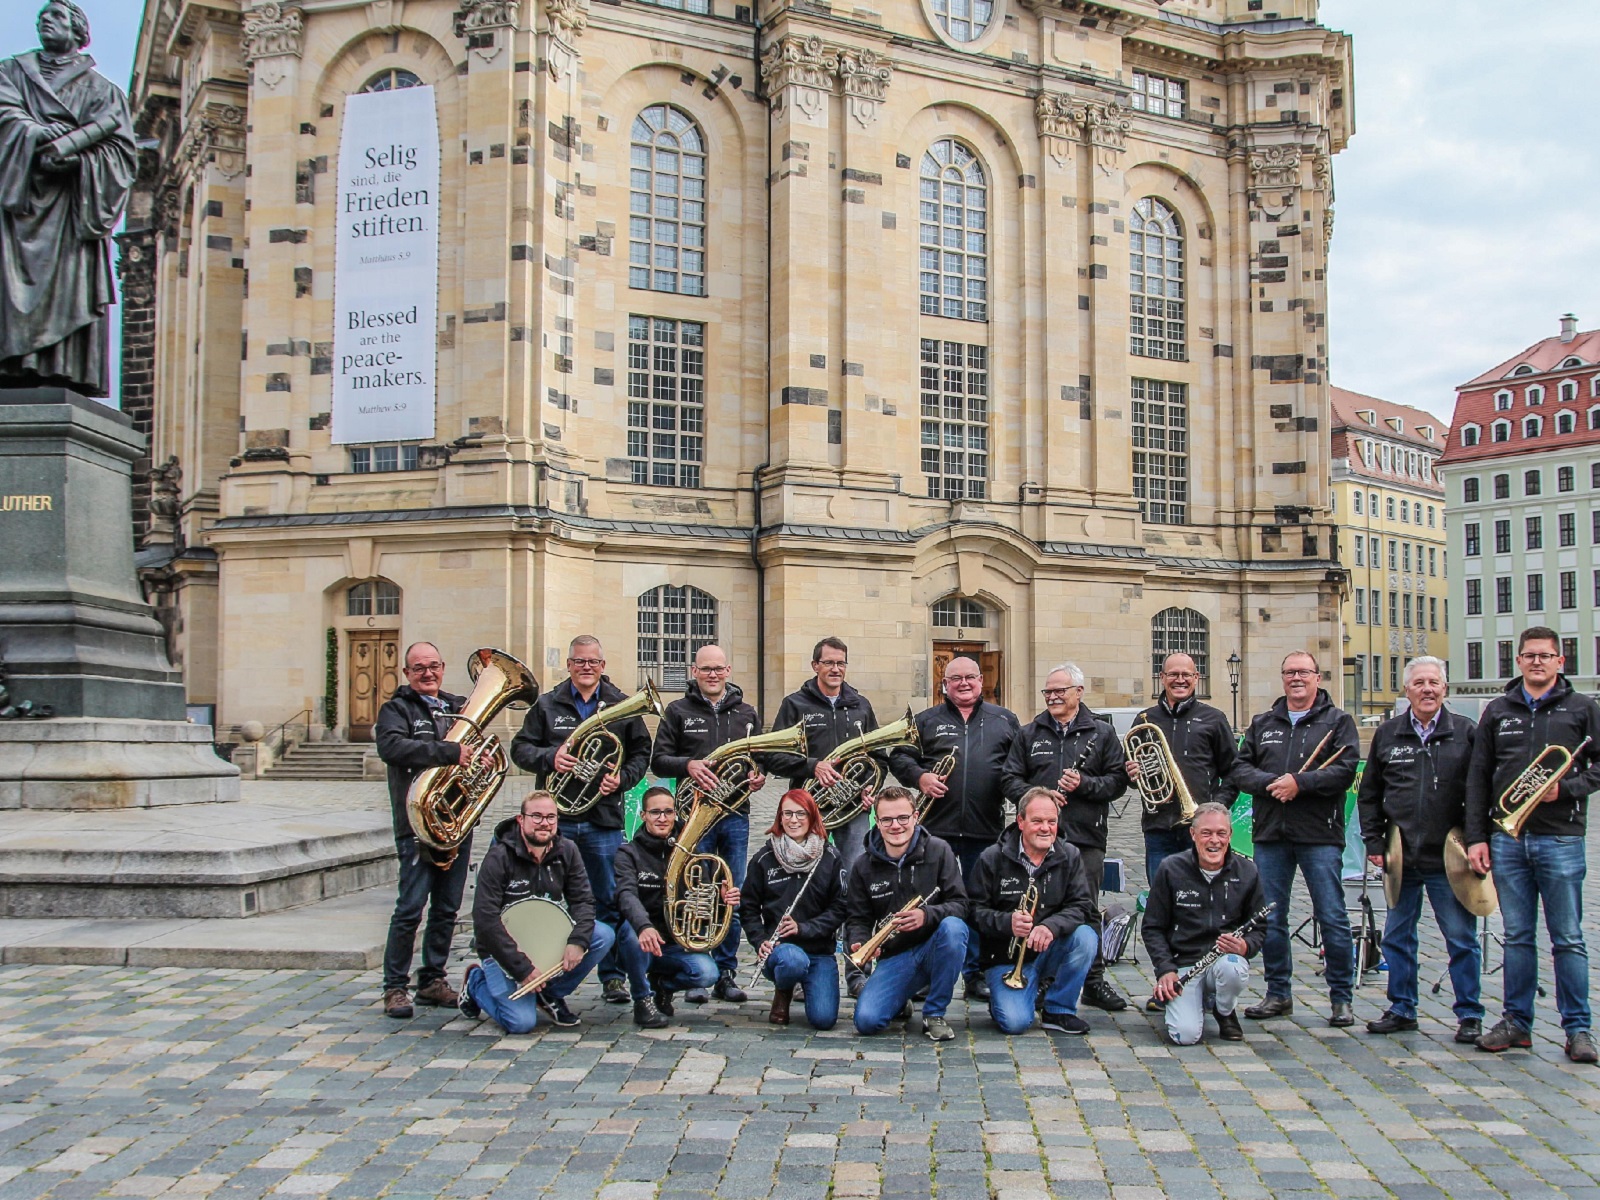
510	874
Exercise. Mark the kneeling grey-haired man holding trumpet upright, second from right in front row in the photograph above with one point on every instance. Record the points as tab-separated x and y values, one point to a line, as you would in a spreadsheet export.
1031	897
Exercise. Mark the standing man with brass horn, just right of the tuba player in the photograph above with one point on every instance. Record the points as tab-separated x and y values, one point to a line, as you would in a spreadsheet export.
542	746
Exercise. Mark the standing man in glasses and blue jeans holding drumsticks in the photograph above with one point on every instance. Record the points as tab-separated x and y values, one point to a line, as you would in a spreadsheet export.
1297	764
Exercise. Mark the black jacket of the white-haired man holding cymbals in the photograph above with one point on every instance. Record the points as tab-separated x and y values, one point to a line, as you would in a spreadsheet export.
1422	788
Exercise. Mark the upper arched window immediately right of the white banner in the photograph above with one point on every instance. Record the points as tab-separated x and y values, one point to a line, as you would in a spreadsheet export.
666	230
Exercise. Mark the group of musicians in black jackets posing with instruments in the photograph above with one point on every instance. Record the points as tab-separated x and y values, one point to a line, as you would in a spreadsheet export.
929	882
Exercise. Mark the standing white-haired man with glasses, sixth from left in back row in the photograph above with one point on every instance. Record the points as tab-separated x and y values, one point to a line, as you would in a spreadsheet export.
1076	756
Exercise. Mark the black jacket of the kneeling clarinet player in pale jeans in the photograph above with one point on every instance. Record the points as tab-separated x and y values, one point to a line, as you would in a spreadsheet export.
1185	916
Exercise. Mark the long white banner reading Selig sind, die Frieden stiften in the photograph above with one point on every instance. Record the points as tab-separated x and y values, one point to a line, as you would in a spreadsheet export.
386	268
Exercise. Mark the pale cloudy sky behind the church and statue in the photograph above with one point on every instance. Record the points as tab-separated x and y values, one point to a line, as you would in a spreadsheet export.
1466	202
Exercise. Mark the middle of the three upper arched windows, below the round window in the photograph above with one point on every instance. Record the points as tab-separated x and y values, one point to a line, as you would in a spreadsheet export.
954	220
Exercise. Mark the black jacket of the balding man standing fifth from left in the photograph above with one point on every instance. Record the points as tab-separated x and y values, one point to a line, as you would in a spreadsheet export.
975	806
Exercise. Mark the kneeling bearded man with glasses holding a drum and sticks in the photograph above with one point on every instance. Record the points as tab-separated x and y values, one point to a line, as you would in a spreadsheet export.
530	860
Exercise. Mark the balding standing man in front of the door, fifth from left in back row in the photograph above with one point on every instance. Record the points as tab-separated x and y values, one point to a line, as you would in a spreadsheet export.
967	809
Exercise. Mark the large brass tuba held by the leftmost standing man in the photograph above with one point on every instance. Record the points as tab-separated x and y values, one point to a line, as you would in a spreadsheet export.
446	802
